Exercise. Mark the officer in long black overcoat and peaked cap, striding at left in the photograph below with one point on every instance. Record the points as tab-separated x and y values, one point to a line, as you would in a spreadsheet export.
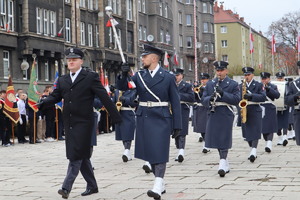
78	89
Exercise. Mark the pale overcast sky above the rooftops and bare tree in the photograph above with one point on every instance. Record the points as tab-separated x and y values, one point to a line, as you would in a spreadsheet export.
261	13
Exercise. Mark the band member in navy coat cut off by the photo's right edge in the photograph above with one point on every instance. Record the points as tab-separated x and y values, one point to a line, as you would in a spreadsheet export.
293	99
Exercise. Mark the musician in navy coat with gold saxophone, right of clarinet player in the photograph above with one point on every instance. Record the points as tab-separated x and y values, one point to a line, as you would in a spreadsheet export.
255	94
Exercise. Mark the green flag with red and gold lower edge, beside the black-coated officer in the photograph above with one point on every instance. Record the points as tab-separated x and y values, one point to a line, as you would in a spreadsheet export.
33	93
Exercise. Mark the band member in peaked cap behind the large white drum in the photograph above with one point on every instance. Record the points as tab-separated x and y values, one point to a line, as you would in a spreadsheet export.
282	111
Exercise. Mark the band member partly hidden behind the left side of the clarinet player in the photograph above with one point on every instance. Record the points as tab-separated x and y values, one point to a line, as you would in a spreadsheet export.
200	111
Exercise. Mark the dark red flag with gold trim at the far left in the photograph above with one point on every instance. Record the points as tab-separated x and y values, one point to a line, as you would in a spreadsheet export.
10	106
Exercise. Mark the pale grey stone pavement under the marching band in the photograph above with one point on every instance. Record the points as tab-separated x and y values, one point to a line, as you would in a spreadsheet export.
31	172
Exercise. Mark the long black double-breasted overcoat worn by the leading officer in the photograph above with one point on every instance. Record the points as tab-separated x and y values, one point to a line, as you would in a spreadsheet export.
78	112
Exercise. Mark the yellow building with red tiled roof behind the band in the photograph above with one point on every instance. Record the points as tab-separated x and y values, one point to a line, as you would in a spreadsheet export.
232	40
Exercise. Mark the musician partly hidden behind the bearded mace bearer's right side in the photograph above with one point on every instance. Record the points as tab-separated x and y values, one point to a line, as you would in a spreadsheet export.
186	99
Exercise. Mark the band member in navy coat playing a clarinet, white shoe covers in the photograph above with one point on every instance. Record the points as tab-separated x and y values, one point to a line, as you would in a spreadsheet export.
219	96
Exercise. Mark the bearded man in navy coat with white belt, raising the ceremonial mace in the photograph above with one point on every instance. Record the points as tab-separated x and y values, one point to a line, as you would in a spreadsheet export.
158	114
